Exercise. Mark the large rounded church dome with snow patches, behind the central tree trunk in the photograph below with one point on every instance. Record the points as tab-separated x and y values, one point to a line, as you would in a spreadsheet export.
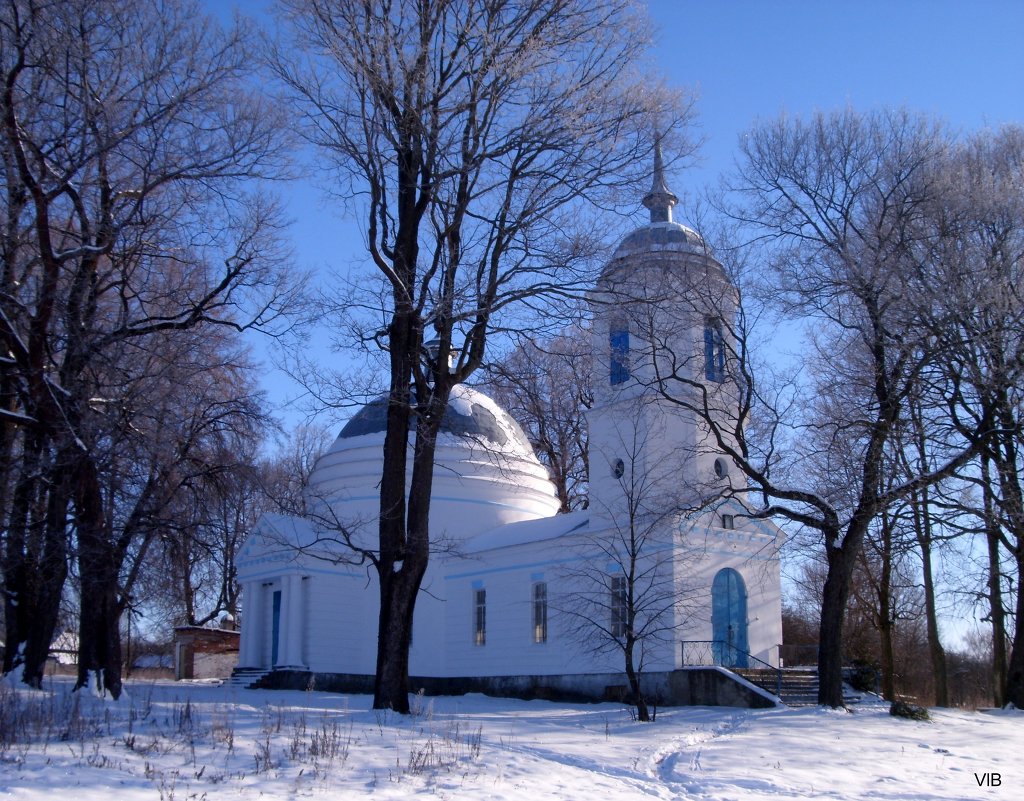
486	473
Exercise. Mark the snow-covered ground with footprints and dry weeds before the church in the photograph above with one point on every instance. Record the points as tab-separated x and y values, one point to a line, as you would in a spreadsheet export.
193	741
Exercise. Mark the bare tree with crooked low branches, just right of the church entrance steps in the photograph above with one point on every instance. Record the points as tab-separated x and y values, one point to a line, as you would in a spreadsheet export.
836	200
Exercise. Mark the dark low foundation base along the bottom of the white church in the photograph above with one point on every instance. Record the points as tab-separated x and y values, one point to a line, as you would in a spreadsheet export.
690	688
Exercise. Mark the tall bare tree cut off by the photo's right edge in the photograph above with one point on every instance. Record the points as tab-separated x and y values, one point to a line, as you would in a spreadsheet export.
978	314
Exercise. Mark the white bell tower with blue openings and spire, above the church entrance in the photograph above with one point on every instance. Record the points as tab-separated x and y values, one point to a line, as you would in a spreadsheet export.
664	312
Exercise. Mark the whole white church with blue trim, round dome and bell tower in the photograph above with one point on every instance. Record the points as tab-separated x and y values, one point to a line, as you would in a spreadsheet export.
520	600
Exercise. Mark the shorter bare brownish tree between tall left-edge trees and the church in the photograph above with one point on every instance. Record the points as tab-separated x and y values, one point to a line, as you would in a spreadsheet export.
186	412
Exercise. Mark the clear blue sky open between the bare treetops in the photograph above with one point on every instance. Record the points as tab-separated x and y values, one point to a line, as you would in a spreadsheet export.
962	62
